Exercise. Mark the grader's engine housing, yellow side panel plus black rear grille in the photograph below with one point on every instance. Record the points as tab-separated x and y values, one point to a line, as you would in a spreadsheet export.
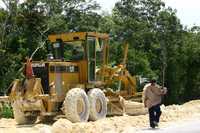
60	75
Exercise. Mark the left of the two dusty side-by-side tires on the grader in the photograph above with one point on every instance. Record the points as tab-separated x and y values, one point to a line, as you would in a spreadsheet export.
70	105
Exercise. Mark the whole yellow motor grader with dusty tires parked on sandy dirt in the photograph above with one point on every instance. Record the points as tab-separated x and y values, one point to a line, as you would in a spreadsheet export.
75	80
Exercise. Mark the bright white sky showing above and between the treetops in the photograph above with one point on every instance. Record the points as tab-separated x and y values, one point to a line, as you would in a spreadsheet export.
187	10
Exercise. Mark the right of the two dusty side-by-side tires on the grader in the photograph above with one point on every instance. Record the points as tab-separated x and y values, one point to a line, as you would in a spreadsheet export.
94	95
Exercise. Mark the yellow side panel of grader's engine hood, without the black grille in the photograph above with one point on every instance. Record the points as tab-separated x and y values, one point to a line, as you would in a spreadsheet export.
63	75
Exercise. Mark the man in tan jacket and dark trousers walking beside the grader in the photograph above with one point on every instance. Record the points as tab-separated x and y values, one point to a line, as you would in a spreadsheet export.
152	96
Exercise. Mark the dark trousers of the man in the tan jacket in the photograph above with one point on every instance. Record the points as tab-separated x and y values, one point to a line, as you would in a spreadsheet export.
154	115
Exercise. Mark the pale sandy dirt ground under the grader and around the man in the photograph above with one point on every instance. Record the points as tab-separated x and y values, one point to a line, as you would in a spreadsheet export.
116	124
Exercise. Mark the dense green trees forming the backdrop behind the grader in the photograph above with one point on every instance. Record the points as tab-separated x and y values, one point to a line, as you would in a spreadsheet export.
158	41
